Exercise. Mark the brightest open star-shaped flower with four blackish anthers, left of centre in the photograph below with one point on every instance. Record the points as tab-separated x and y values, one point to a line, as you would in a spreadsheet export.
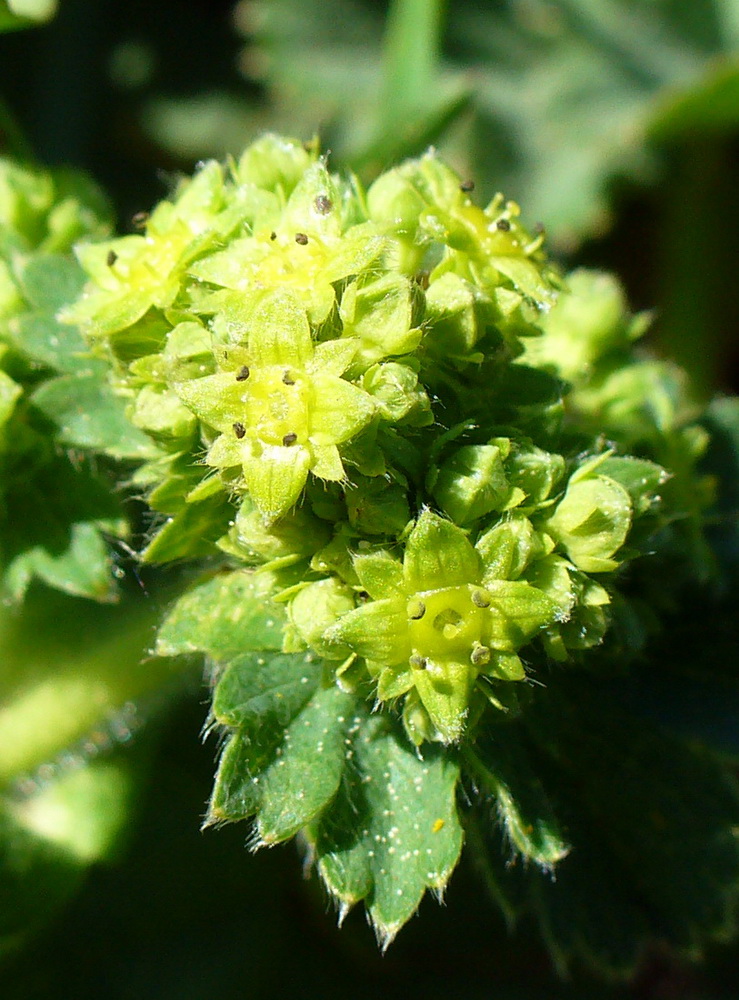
281	405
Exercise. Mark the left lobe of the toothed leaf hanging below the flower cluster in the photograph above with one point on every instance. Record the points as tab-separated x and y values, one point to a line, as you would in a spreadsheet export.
285	762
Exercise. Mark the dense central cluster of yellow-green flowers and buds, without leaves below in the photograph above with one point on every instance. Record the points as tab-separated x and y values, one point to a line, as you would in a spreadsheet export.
363	393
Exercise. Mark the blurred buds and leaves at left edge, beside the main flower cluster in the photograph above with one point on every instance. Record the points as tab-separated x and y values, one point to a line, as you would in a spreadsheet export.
55	506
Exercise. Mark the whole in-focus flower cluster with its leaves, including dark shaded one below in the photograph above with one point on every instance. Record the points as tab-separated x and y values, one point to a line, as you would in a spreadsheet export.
443	504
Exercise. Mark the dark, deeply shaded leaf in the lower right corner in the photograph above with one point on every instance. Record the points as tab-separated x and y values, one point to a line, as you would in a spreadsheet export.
651	819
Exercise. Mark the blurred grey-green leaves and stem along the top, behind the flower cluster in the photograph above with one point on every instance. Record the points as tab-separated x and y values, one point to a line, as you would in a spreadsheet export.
556	99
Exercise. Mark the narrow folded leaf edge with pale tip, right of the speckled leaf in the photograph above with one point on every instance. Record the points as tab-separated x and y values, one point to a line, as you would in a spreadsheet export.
502	769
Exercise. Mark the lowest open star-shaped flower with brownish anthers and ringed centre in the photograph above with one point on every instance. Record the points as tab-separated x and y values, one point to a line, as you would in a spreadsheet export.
439	620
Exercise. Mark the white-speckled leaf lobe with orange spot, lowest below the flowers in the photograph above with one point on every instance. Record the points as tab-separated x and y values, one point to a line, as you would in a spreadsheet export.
392	831
